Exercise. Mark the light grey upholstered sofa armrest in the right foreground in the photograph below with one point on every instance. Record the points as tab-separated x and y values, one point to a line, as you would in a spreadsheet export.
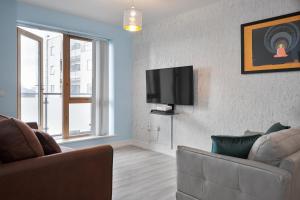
203	175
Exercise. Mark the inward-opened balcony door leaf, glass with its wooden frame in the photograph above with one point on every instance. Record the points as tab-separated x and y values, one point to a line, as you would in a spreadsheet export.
30	77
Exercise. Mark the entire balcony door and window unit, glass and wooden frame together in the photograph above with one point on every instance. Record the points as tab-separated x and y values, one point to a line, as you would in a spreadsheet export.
56	77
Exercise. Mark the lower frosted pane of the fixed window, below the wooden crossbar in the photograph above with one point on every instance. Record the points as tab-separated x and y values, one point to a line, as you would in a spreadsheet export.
80	116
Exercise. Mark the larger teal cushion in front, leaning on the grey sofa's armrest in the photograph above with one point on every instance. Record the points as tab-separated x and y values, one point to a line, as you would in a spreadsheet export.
235	146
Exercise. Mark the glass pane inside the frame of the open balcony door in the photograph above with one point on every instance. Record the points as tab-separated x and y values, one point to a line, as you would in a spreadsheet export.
29	79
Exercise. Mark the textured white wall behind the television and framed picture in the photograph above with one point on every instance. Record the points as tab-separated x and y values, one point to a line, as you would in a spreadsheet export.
226	102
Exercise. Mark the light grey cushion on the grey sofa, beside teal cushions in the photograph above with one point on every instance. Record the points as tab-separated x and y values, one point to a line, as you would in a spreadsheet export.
272	148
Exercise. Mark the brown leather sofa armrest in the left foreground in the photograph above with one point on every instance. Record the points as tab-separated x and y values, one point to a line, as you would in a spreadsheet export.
76	175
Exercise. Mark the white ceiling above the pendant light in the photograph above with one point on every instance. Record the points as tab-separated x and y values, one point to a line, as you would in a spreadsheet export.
111	11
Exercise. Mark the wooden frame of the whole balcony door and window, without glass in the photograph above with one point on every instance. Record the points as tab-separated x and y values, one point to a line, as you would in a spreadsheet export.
66	92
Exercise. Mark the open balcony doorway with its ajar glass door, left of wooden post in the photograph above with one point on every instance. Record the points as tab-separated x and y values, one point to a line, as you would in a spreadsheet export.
40	78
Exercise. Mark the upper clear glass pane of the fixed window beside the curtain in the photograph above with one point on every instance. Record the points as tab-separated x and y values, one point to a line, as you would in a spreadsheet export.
80	68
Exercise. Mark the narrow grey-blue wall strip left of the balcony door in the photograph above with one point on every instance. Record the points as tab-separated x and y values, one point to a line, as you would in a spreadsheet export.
8	55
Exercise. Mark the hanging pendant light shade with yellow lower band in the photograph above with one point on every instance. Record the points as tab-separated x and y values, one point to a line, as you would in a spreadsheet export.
132	20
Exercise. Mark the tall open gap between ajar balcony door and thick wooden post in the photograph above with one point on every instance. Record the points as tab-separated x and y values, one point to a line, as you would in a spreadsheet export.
52	81
